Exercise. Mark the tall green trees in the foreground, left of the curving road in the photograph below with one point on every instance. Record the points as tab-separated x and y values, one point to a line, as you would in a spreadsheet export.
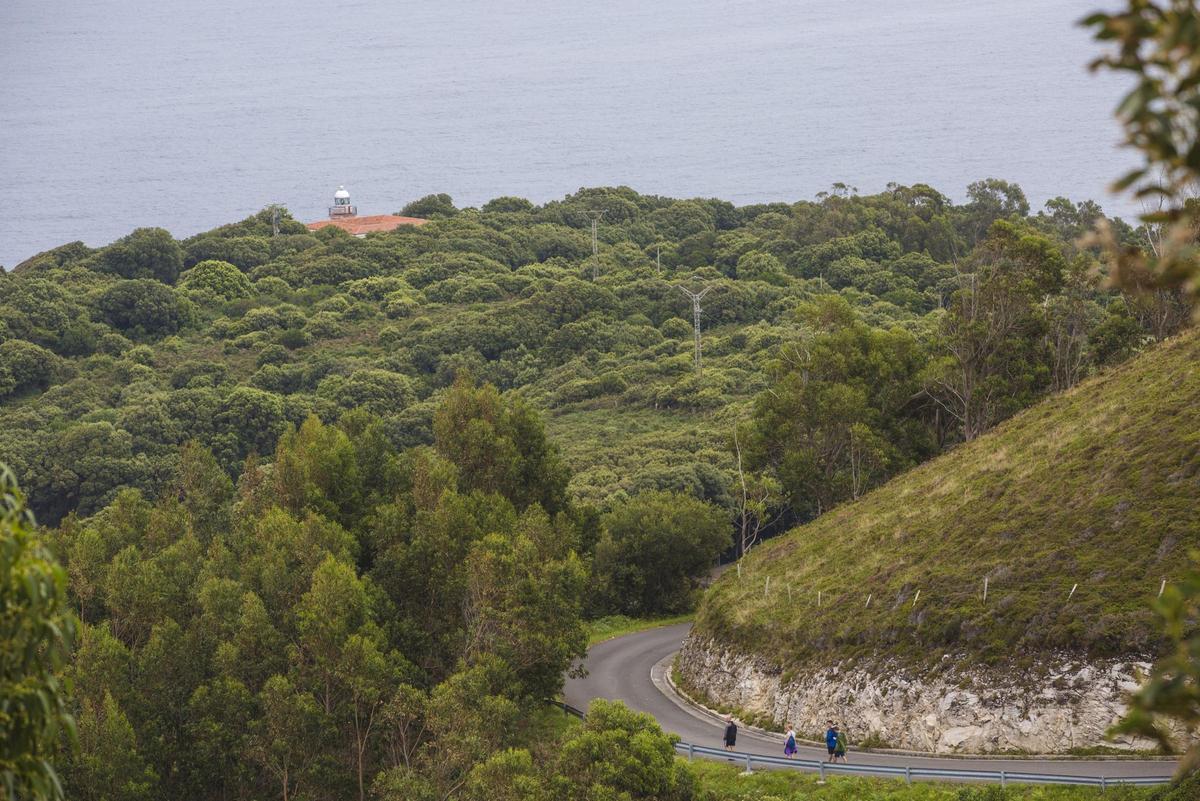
347	621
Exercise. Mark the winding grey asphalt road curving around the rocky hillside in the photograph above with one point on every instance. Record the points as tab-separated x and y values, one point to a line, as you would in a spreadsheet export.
621	670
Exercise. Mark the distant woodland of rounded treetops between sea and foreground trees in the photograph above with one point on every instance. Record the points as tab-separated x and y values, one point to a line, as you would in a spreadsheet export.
844	340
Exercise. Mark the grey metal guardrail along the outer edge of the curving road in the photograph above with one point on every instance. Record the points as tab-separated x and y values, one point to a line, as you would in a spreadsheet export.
908	773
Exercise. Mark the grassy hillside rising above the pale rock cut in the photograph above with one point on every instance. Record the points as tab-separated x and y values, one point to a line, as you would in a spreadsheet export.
1100	486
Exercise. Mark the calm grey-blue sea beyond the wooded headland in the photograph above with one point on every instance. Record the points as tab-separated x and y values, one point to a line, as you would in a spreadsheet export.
188	115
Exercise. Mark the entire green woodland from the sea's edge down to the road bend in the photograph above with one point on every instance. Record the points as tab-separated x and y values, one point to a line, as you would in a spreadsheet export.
334	510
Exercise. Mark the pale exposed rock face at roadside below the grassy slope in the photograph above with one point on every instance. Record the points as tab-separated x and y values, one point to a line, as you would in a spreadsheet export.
1070	706
